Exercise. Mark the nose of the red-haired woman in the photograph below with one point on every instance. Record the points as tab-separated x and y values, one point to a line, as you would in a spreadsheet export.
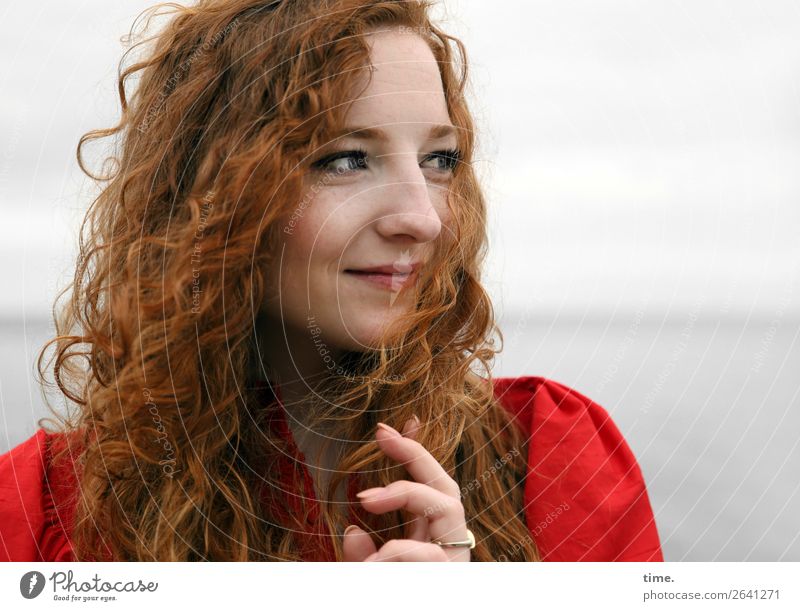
409	209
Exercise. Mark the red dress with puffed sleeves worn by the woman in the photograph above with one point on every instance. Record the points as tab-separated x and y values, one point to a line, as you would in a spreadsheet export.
585	497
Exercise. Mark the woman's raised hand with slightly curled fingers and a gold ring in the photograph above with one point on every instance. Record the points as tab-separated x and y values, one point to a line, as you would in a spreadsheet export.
434	498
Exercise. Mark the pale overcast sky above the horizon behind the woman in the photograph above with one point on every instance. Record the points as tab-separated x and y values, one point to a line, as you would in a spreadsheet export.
631	151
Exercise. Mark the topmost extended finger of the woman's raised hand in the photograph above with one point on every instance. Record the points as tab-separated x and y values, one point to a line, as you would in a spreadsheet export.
419	463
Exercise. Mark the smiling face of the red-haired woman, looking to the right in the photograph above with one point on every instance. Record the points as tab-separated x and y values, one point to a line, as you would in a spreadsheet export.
382	207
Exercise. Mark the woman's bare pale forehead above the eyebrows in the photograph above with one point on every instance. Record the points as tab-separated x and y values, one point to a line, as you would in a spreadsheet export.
406	85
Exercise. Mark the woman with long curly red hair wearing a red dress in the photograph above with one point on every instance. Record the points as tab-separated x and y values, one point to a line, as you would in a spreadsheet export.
282	271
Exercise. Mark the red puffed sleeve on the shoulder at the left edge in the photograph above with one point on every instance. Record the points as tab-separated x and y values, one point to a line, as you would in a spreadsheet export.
36	500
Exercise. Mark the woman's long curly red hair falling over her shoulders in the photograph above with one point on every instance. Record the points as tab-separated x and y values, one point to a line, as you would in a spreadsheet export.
155	347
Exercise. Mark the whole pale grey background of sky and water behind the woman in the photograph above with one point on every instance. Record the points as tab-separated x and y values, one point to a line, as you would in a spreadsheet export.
641	162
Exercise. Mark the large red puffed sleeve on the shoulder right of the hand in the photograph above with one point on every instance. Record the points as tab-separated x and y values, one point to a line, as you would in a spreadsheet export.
585	495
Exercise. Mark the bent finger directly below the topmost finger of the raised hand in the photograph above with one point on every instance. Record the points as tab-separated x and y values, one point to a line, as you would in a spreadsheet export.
444	514
